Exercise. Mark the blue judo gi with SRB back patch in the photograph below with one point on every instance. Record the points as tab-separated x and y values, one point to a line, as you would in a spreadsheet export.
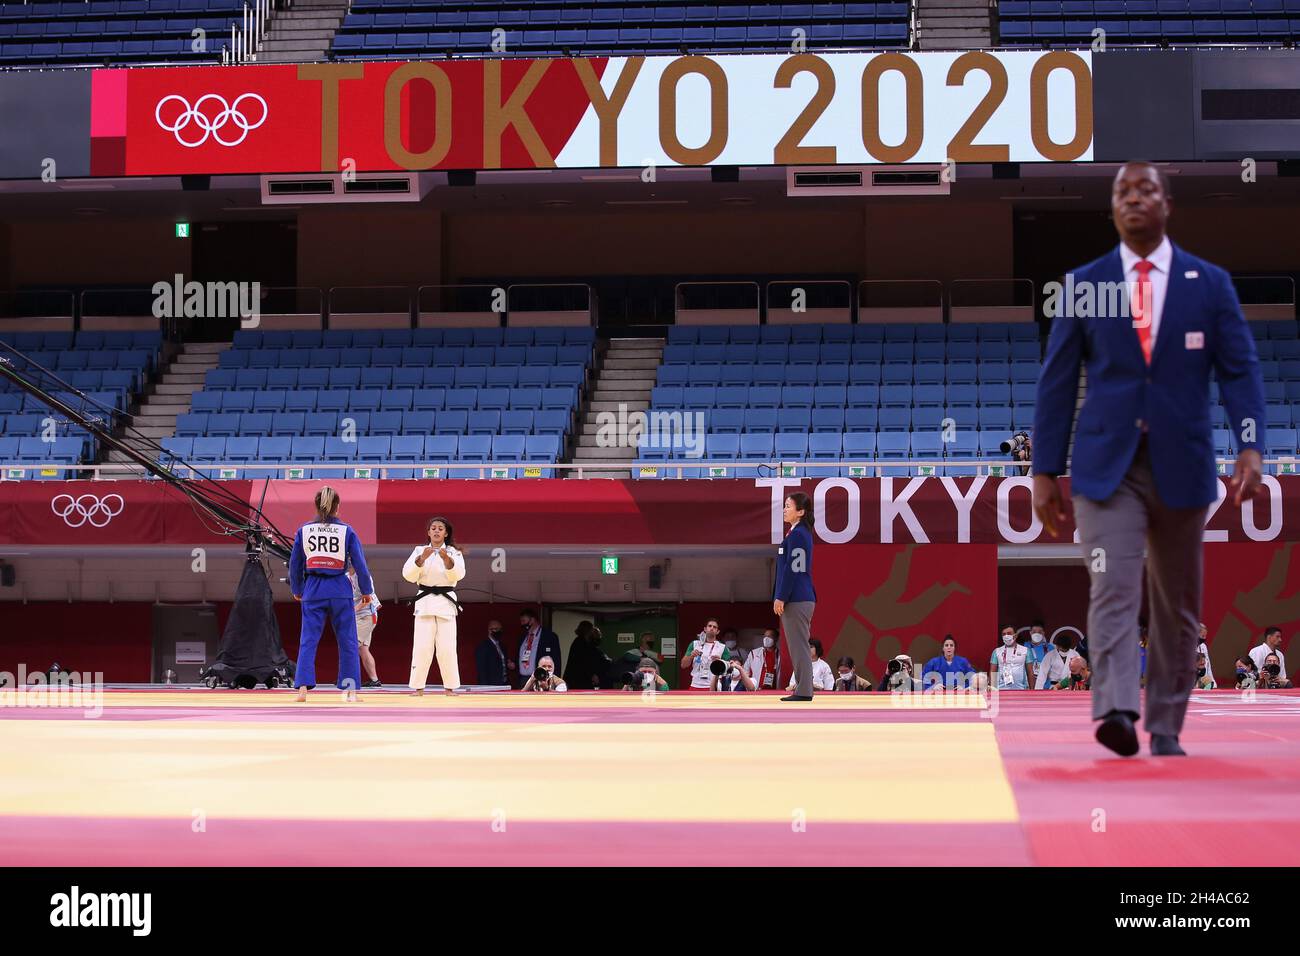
318	574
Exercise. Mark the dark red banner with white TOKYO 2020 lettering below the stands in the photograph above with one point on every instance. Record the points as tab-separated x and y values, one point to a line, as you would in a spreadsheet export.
720	513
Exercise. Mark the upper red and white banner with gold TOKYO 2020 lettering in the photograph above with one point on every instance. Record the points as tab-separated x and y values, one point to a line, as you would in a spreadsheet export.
765	110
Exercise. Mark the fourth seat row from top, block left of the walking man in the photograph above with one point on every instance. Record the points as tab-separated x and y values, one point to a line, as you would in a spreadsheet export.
842	396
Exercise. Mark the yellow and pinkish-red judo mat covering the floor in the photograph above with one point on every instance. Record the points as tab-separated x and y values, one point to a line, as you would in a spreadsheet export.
197	777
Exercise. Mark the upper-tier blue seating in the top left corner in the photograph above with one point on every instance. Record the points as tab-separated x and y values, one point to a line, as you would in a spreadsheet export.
115	32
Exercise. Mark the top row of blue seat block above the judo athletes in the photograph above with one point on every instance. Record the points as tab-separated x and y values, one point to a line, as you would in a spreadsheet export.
400	339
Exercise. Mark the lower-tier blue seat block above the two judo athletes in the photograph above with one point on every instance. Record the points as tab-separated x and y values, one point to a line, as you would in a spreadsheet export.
413	396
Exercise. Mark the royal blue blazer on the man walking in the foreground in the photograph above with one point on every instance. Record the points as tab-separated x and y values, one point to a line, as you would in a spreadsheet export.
1172	397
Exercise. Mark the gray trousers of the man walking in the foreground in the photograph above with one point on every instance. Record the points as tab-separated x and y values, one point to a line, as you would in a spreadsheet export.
1116	531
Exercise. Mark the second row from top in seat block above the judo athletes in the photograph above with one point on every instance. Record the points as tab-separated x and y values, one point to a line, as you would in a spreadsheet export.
411	357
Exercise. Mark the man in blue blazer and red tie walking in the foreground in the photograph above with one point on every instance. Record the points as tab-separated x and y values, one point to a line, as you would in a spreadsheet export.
1143	468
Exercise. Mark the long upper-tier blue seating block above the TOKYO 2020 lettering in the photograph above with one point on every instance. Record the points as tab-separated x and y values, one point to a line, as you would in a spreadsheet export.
379	29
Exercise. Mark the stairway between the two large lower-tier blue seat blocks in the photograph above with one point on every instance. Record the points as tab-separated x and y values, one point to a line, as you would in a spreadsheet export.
623	378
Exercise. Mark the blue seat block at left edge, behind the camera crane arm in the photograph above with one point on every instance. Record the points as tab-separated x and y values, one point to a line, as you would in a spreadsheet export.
110	367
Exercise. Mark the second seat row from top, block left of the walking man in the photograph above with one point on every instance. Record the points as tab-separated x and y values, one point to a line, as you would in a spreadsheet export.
833	353
